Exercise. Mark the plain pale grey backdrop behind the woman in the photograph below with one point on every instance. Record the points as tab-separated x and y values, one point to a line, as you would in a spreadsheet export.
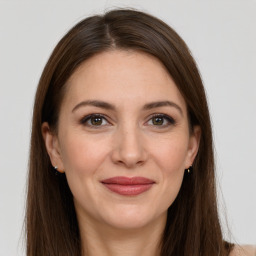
222	38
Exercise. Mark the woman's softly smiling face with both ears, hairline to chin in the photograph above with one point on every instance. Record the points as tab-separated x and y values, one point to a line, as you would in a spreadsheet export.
122	115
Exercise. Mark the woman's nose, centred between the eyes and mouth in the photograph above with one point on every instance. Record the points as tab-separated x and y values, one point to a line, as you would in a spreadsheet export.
129	148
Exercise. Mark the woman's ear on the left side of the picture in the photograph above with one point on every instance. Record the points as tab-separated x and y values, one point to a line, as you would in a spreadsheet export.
52	146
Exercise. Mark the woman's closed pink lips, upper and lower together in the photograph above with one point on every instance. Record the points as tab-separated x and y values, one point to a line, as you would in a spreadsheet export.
128	186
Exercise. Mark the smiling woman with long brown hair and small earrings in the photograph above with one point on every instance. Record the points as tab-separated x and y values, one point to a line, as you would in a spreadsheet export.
120	118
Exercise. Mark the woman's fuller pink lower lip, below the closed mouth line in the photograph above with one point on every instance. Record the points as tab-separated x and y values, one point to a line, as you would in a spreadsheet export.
128	190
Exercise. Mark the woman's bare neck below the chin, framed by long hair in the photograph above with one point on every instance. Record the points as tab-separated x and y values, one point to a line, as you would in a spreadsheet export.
101	239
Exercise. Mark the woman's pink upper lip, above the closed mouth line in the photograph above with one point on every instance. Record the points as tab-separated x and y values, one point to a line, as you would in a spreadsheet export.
128	180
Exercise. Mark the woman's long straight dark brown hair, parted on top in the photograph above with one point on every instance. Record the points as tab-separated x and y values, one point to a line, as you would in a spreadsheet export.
193	227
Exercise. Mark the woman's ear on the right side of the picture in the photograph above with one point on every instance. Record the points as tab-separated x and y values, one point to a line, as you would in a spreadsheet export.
193	146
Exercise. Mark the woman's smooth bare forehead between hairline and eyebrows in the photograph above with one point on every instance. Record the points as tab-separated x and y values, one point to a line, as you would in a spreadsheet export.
122	77
